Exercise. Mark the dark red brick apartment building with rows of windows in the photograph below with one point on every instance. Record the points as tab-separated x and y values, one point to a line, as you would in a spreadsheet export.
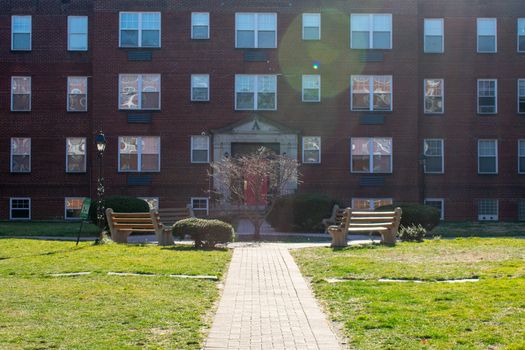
380	100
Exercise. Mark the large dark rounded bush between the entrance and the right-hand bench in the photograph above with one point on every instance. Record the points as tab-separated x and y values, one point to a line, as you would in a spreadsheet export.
301	212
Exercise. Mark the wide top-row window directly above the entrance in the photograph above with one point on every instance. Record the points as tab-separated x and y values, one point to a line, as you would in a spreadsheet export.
256	30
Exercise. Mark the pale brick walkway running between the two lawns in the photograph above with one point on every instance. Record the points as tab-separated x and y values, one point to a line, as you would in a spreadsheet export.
267	304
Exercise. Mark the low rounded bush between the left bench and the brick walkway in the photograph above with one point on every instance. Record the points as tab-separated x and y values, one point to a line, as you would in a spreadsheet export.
206	233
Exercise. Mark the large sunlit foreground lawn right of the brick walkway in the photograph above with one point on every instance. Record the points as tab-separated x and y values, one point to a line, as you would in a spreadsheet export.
489	314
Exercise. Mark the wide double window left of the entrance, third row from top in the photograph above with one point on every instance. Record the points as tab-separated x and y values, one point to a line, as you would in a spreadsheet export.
139	154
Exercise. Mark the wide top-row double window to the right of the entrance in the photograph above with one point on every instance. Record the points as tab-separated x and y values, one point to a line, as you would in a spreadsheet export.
371	31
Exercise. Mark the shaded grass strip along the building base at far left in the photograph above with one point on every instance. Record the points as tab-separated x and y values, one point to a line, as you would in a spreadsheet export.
46	228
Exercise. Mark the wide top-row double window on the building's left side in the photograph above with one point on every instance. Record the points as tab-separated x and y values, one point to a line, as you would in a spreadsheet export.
139	29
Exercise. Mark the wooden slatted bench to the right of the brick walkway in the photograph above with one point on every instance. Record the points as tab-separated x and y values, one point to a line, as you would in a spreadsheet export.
349	221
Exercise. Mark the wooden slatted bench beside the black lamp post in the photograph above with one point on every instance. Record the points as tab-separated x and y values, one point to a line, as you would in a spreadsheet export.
122	224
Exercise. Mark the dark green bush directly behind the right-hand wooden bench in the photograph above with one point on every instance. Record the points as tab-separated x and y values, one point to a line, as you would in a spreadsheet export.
416	214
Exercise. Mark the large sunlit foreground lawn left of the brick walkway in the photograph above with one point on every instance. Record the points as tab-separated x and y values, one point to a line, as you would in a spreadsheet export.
97	311
